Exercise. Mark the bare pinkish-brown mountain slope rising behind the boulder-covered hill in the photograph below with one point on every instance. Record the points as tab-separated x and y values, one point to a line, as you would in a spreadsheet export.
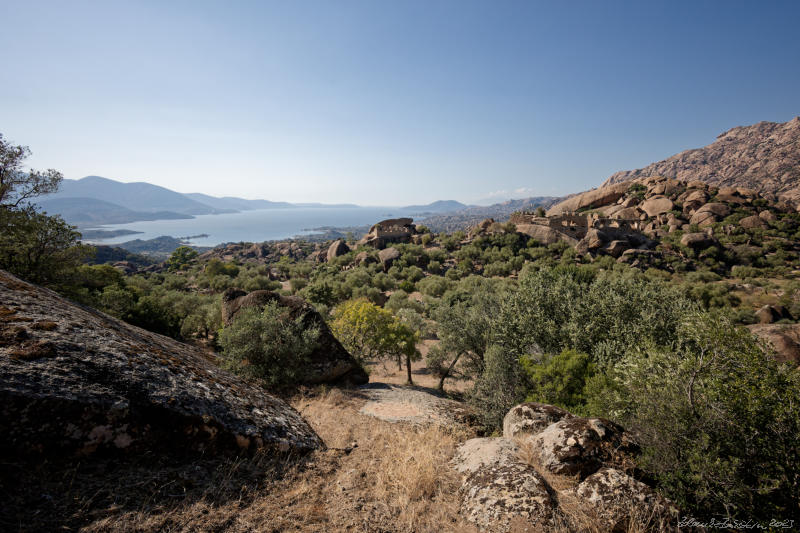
764	157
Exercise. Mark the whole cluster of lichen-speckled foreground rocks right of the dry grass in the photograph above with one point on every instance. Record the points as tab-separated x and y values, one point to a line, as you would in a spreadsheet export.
552	471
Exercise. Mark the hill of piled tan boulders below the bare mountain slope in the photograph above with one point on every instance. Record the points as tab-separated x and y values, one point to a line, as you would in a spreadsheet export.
634	220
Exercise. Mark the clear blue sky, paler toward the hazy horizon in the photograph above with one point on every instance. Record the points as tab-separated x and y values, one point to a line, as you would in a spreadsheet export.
386	102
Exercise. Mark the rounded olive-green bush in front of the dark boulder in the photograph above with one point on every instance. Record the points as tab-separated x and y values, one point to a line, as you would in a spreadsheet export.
269	345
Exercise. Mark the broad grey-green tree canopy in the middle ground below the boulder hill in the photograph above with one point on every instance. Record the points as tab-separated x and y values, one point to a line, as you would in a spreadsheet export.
603	316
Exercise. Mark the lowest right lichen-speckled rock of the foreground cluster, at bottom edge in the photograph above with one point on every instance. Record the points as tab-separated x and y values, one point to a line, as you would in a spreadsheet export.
613	498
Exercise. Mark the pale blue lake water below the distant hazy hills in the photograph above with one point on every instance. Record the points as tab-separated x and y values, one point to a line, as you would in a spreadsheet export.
254	226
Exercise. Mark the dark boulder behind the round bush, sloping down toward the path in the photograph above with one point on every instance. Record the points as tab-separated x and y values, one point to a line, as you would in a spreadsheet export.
329	363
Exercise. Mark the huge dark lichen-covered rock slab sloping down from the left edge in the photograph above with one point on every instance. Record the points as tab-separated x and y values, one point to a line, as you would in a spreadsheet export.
76	381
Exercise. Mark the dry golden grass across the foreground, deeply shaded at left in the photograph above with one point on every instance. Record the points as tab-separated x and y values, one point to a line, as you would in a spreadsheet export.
374	476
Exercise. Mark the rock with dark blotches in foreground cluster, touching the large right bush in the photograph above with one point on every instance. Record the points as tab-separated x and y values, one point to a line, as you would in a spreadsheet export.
580	446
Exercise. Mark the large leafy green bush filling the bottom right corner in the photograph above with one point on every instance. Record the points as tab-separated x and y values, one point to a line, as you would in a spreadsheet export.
718	418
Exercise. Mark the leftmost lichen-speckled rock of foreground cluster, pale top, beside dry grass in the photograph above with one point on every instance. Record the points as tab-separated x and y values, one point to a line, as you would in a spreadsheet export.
498	488
